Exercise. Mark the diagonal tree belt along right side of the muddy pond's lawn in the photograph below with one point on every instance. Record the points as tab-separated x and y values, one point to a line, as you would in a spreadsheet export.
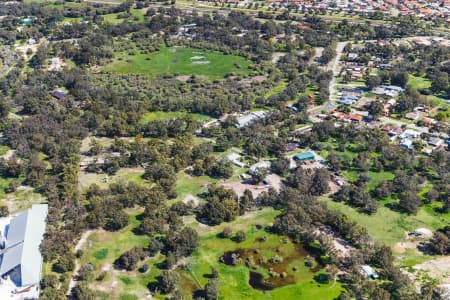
303	213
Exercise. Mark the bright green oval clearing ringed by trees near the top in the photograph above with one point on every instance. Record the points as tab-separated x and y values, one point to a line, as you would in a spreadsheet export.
180	61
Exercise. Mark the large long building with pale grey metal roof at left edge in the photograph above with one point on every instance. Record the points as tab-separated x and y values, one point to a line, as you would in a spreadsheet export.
20	256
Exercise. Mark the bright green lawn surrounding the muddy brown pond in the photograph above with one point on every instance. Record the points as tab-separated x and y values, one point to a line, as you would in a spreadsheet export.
234	280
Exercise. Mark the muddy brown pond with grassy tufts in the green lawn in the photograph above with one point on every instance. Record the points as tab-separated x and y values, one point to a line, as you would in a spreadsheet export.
279	273
